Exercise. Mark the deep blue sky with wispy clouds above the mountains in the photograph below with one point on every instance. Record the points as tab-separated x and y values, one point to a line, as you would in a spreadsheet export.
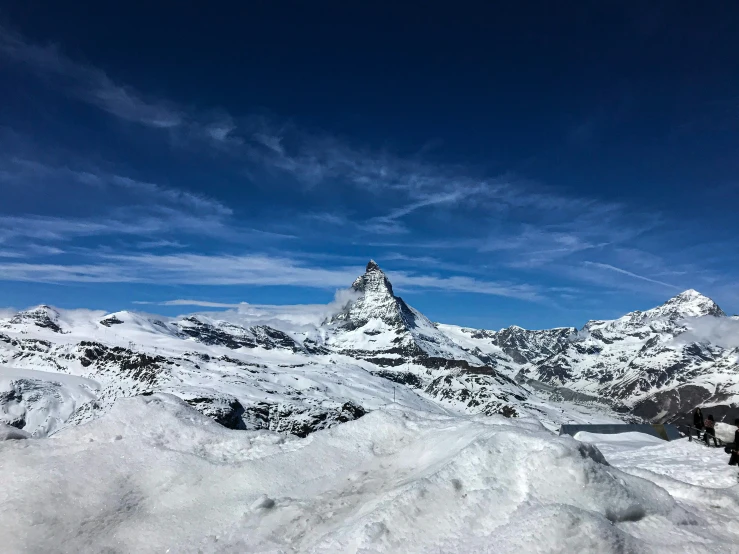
523	165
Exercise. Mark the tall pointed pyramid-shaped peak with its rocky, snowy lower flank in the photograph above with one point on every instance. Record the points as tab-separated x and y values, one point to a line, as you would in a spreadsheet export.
406	347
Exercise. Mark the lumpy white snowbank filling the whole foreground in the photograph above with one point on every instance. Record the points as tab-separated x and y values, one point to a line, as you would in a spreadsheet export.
155	475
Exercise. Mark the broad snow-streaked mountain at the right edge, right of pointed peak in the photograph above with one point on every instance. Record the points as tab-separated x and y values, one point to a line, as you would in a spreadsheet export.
650	361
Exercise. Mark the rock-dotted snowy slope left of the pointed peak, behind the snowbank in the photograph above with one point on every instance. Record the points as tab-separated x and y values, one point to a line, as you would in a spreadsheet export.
255	378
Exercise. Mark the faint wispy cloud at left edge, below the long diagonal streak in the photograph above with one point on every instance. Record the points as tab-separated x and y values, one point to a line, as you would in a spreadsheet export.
121	206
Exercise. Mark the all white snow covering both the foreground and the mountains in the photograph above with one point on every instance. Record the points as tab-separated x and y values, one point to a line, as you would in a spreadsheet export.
417	468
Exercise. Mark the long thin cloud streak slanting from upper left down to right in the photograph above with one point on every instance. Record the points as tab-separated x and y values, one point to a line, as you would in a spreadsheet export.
308	157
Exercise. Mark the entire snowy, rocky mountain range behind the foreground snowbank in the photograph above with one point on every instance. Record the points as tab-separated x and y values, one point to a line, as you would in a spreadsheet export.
64	367
